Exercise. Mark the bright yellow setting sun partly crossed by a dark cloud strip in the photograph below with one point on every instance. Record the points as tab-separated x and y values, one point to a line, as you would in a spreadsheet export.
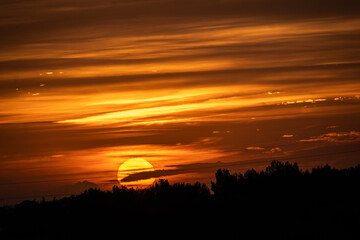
135	165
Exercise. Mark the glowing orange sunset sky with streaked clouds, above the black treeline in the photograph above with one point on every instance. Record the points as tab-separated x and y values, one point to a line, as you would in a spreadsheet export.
187	86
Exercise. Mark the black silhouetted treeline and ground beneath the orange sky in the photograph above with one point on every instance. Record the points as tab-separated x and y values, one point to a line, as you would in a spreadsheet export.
281	202
